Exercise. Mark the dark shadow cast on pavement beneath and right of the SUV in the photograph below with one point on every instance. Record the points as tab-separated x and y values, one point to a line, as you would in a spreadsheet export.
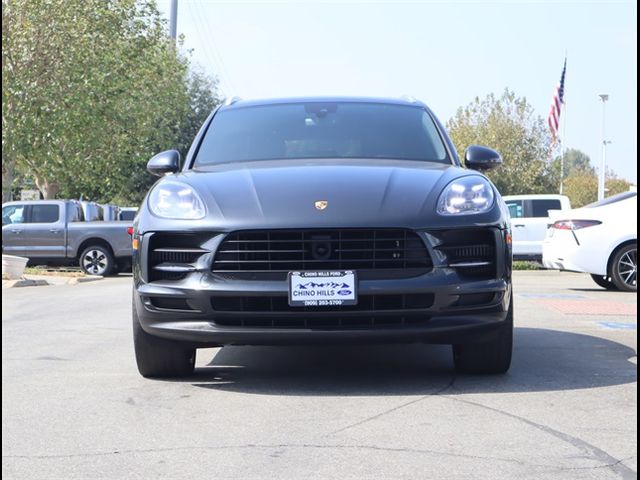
544	360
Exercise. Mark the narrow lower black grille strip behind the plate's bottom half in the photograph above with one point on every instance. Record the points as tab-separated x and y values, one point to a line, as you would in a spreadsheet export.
366	303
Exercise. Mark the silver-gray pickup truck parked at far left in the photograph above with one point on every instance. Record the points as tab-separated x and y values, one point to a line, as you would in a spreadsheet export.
54	232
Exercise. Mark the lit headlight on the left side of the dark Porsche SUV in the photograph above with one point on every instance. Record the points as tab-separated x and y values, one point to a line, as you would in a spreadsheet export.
175	200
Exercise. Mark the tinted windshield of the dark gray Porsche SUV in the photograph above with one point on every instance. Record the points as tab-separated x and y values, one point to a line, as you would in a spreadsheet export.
321	130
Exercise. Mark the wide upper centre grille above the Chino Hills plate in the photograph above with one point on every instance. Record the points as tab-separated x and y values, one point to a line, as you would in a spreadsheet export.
349	249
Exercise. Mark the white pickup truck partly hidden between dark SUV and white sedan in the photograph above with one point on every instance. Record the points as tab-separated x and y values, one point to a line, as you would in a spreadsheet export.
529	220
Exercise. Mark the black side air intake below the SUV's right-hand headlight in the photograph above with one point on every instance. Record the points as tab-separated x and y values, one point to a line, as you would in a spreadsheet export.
471	252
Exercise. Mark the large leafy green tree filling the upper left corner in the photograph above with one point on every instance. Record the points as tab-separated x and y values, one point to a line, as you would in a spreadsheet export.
91	89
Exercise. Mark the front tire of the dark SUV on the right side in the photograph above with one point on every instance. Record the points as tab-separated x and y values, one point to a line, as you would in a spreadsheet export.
493	357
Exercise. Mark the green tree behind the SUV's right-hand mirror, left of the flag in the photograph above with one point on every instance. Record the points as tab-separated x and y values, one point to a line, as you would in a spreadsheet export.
509	125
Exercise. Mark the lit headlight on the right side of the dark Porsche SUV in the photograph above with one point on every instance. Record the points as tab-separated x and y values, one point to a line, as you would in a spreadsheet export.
466	195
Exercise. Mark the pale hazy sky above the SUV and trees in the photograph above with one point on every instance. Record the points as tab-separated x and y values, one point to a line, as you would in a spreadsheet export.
444	53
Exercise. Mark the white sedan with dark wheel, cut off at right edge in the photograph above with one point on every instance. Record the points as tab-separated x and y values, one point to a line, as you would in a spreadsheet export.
600	239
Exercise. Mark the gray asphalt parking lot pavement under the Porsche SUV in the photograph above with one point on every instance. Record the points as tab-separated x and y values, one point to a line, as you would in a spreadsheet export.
74	406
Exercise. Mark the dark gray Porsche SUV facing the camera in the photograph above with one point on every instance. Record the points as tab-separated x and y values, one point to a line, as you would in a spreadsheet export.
322	220
